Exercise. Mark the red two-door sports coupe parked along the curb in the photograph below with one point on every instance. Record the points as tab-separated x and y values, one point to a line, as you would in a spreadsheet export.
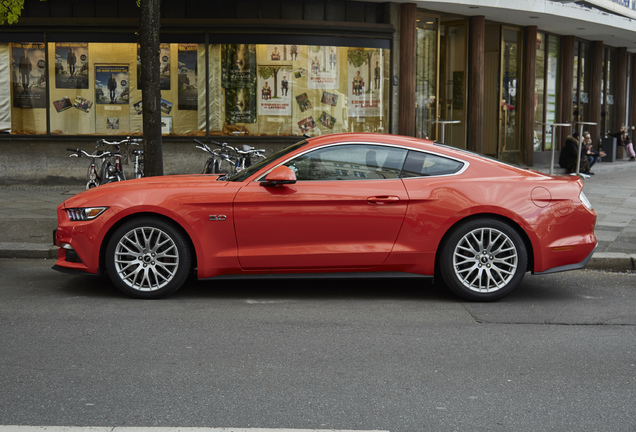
368	204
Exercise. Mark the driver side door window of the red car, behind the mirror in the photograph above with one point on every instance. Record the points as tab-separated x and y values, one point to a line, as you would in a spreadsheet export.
349	162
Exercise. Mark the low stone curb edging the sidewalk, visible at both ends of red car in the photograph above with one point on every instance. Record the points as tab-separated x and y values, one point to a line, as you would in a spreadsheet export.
609	261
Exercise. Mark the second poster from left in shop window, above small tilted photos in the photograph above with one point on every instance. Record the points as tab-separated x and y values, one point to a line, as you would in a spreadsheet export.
71	65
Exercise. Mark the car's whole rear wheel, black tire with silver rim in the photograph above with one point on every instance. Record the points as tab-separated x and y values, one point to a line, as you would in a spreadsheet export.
483	259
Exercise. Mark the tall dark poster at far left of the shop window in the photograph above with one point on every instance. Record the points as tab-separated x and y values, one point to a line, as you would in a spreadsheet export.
28	75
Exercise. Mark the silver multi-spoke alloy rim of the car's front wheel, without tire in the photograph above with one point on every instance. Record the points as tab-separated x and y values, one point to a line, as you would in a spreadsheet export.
146	258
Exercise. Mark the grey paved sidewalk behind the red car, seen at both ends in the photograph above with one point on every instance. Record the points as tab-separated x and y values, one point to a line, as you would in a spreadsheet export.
28	216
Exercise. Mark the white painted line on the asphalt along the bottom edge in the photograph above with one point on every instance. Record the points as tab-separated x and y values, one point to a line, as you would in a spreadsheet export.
161	429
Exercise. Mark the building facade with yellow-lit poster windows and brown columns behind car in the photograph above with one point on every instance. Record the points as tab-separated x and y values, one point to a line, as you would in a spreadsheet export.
477	75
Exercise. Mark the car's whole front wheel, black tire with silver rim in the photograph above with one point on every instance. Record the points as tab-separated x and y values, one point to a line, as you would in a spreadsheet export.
148	258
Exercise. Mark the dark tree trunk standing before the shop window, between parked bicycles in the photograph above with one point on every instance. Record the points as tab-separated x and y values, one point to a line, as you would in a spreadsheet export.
151	92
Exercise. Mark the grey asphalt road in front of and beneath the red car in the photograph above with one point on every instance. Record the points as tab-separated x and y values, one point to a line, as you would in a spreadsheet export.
559	354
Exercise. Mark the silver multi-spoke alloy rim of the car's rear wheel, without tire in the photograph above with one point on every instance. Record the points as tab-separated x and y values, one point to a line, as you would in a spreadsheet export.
485	260
